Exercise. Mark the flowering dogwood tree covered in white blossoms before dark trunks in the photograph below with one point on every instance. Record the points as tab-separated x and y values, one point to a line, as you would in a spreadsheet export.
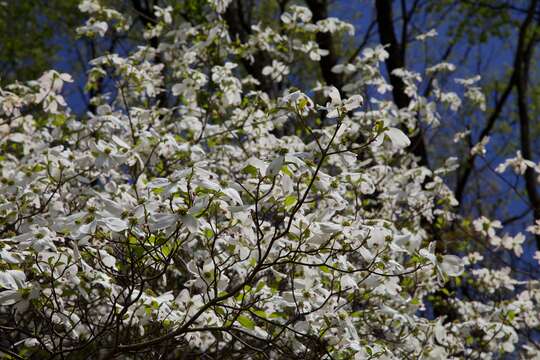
208	217
